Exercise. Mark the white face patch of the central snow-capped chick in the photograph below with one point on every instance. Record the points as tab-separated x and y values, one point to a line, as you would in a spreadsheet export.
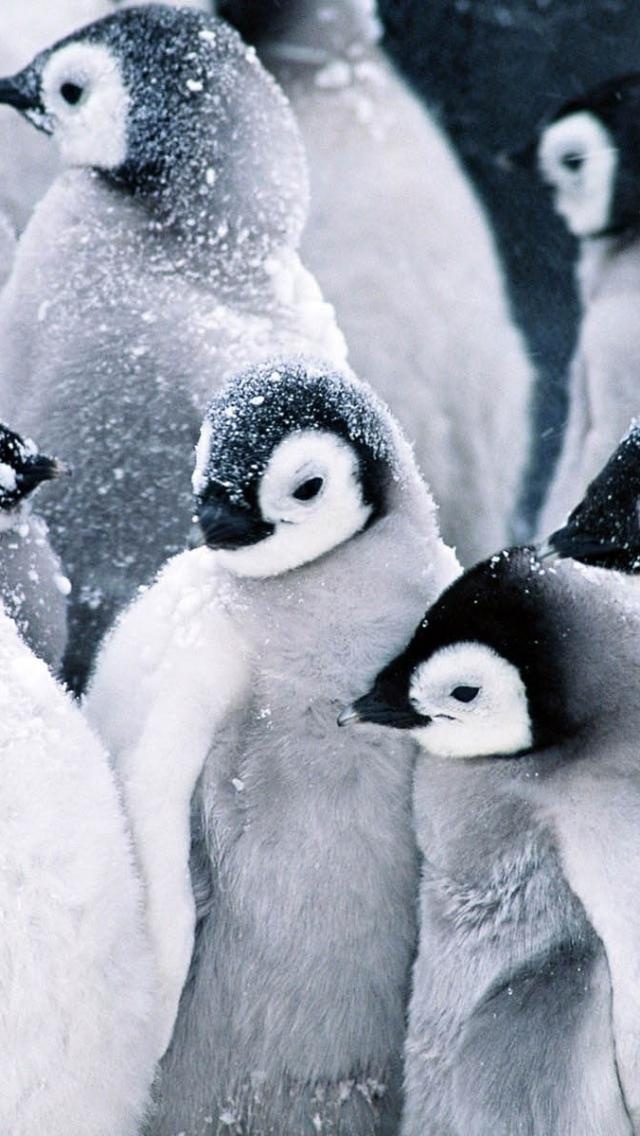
304	531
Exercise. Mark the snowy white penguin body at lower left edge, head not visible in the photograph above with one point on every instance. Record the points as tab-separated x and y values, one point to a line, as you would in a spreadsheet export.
79	1030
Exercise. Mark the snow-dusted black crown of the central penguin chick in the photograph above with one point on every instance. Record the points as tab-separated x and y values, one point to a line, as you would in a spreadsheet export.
256	411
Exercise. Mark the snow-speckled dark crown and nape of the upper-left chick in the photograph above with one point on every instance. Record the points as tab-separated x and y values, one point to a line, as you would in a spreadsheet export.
211	140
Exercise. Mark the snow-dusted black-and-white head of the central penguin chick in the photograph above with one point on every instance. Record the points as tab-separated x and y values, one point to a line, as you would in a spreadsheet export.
294	461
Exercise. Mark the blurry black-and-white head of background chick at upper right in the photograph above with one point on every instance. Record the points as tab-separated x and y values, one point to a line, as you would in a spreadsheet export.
589	154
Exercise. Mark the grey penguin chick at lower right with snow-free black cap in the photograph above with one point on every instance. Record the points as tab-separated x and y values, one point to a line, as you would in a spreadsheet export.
526	1009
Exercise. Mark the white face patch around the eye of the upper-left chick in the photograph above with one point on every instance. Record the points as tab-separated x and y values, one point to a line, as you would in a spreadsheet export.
94	131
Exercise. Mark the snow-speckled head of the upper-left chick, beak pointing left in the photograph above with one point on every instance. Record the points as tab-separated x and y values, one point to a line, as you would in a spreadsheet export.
171	105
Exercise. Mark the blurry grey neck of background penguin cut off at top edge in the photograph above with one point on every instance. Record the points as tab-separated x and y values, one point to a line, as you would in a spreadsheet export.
318	35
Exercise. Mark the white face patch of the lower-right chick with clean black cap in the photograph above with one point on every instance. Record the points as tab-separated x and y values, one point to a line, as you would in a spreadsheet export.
497	721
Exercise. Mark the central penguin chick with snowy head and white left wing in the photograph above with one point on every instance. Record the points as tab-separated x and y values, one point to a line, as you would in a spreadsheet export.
322	548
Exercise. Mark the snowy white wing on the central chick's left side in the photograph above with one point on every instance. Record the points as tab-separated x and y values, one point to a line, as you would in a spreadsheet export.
164	683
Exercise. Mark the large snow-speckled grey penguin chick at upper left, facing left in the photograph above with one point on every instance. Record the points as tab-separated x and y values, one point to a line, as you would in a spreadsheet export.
163	261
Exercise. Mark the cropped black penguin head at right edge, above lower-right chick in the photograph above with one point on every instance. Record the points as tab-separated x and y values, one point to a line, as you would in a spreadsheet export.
604	530
